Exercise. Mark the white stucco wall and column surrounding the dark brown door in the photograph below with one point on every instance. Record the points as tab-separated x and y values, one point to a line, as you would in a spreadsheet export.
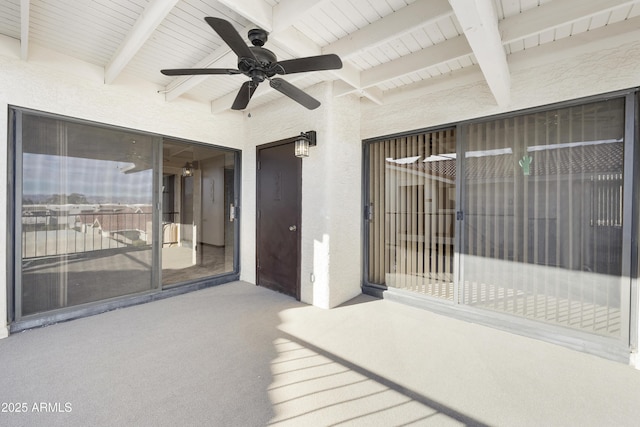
330	270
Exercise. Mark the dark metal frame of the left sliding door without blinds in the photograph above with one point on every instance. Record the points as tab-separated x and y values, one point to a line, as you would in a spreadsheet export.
17	322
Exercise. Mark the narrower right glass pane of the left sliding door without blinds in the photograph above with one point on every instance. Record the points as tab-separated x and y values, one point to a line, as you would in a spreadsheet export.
198	231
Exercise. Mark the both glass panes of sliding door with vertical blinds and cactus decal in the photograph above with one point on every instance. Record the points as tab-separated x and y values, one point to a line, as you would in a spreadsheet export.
538	202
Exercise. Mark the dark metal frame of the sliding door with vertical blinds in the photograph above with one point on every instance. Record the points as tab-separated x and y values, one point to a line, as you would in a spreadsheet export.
603	346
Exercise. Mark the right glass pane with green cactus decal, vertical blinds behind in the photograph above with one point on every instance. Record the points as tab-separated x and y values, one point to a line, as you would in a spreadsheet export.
543	216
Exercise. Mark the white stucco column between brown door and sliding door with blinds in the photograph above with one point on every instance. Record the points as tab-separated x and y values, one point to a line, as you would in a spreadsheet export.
331	206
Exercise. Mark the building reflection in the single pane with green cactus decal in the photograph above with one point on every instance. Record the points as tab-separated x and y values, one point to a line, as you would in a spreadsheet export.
572	195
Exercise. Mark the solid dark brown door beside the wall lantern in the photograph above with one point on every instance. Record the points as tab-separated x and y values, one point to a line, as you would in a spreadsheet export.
278	210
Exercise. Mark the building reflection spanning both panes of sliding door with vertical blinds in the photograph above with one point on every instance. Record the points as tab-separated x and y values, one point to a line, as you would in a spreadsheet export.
521	201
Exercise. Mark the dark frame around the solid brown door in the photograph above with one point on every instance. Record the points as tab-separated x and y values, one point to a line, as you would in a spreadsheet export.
259	148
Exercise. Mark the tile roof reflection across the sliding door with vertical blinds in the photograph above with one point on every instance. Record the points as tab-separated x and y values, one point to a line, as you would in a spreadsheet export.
597	158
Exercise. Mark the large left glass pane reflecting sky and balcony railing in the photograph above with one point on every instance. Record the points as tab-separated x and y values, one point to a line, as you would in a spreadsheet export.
86	231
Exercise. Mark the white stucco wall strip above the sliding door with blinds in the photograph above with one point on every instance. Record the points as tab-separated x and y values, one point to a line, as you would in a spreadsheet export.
555	80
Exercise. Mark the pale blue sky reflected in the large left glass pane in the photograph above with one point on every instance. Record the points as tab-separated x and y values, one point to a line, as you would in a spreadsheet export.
45	174
